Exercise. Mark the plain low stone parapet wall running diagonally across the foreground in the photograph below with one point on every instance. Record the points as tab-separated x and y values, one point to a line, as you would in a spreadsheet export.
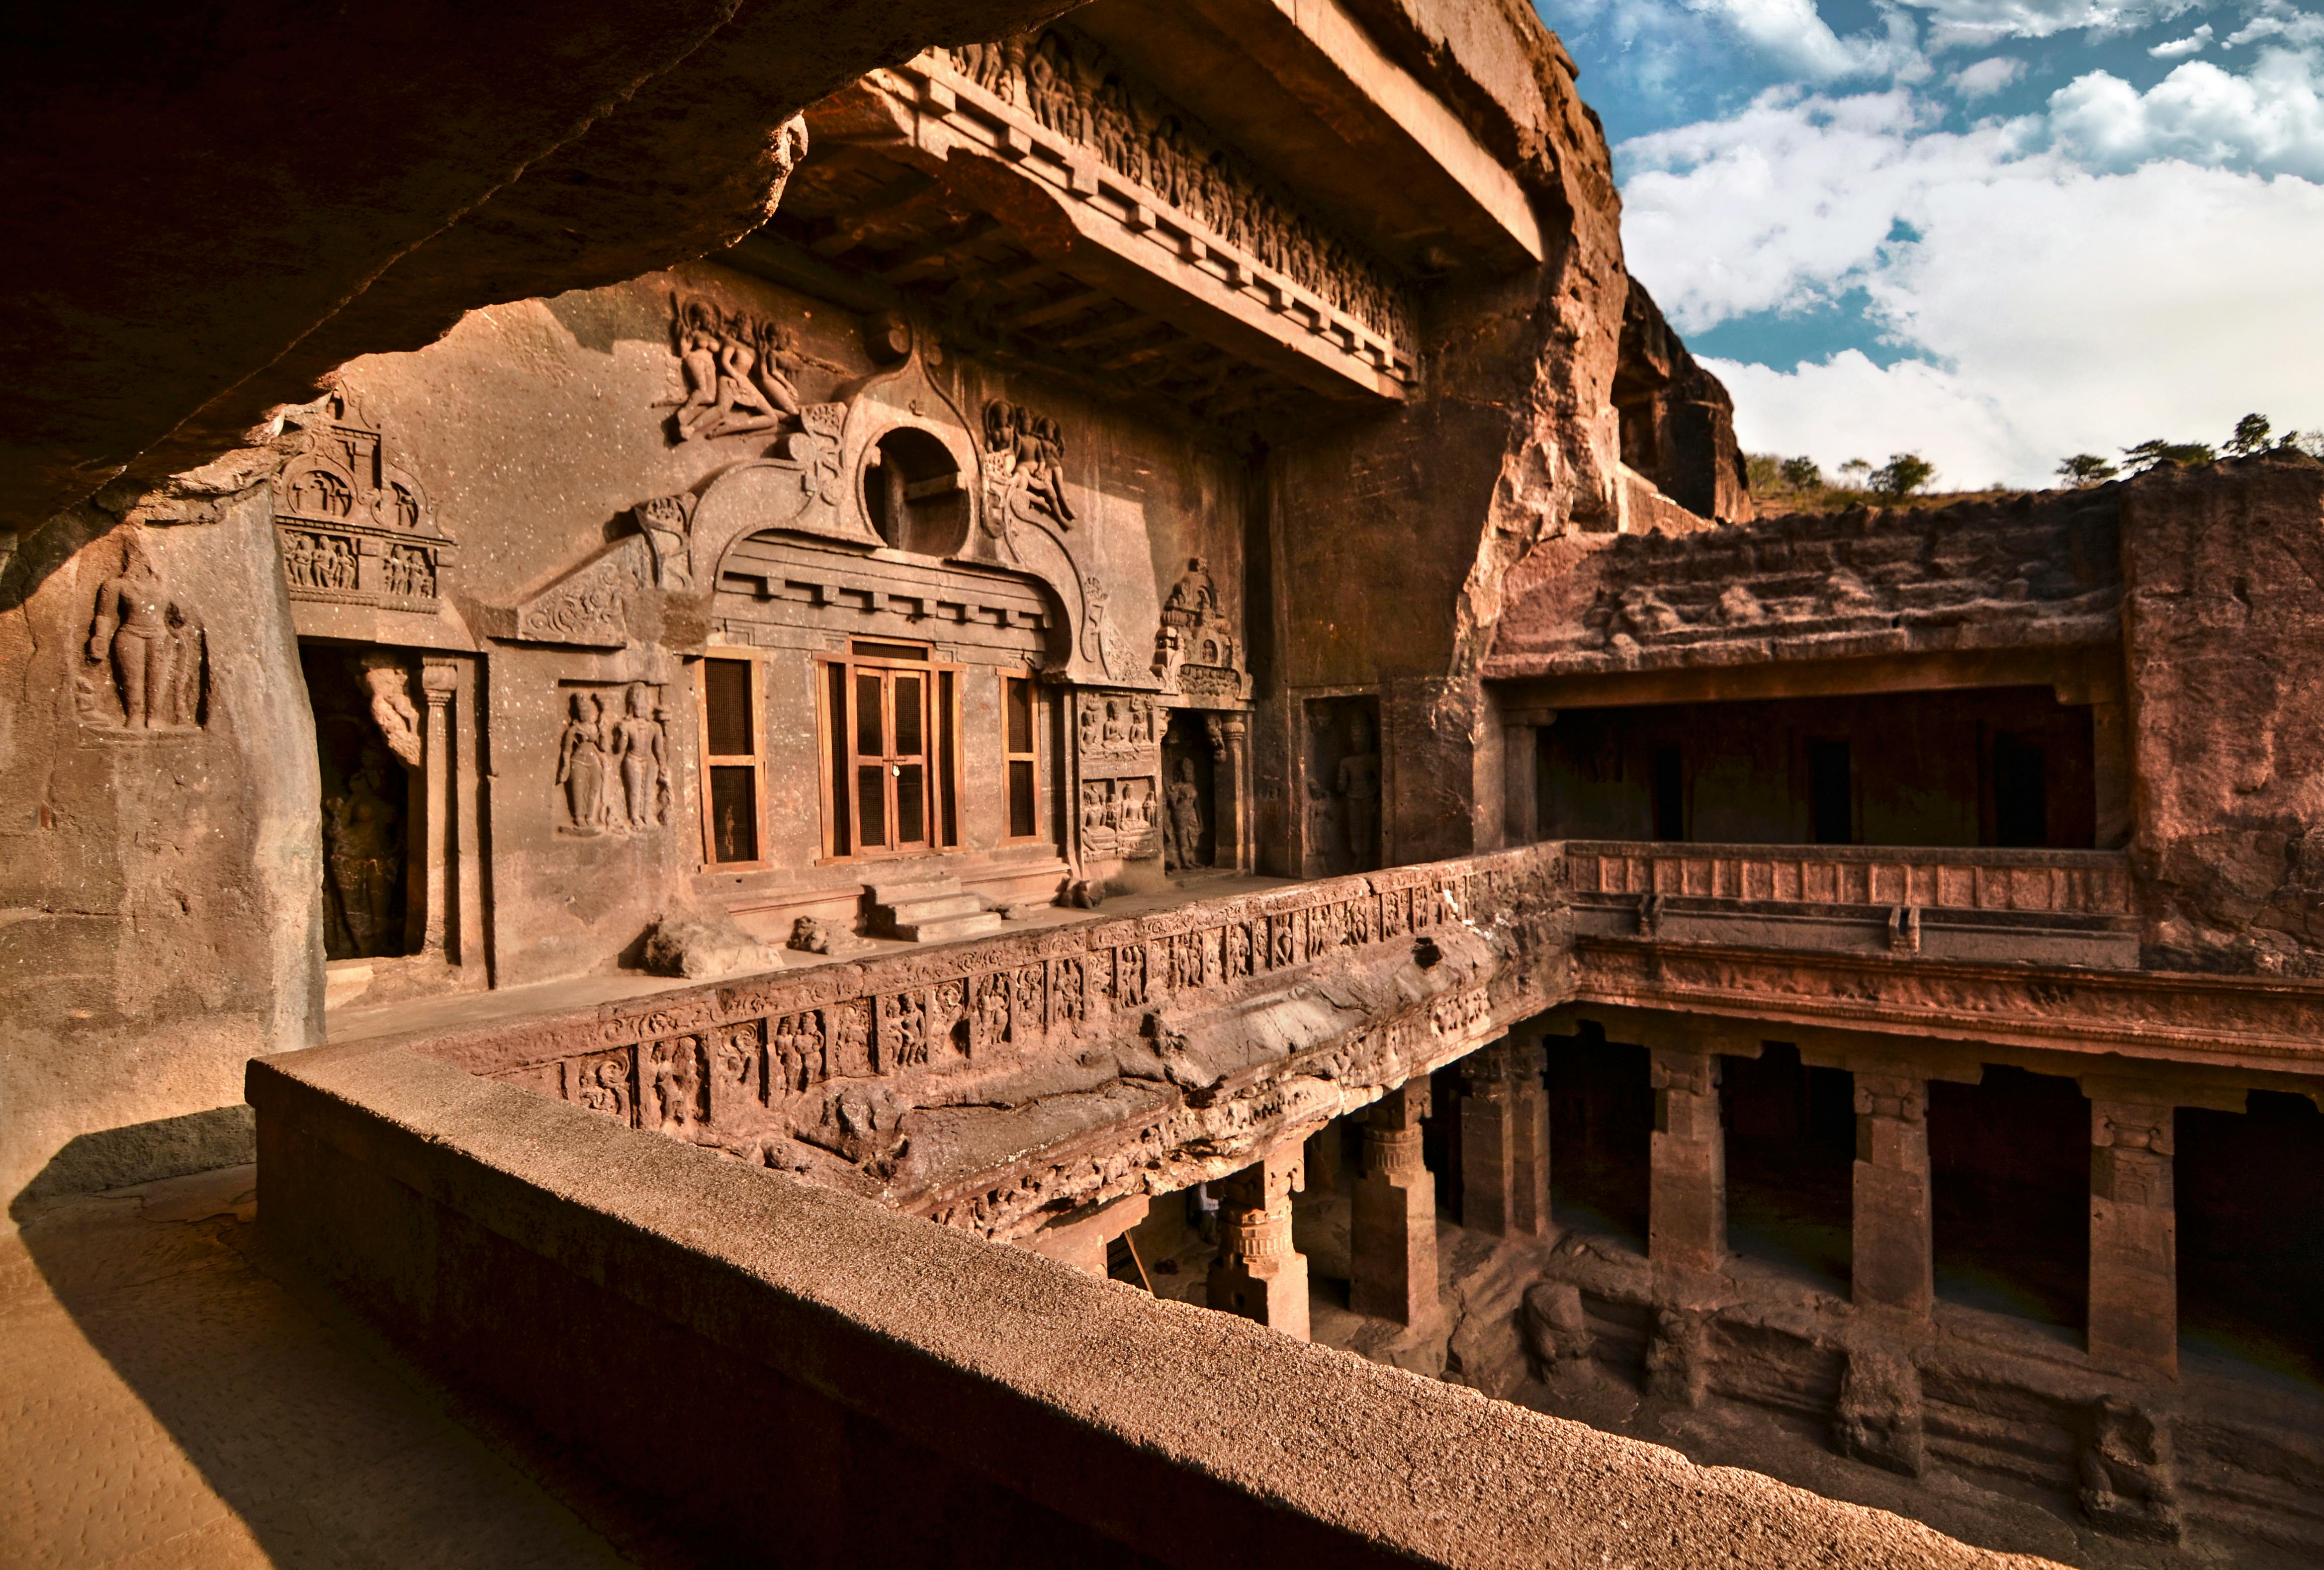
796	1374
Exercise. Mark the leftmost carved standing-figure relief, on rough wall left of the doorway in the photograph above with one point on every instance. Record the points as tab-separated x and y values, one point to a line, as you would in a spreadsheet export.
145	668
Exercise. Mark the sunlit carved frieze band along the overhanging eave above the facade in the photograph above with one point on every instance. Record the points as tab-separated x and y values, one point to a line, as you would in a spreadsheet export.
1061	110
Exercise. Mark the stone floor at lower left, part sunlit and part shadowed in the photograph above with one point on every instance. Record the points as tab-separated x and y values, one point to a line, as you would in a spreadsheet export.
173	1397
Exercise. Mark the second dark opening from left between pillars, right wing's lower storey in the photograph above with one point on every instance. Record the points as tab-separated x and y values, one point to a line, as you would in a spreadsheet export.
1791	1162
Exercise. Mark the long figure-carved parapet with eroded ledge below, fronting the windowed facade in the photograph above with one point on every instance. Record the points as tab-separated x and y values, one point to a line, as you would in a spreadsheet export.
998	1081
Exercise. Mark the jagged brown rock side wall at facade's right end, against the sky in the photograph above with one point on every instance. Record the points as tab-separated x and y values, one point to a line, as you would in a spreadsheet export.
1512	442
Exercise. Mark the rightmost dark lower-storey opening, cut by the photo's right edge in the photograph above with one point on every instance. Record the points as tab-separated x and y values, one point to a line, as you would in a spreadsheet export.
2251	1237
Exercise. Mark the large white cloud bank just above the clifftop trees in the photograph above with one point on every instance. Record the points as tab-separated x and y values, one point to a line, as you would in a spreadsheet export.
2058	308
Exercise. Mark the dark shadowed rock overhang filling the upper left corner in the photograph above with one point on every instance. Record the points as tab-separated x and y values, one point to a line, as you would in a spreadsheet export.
220	217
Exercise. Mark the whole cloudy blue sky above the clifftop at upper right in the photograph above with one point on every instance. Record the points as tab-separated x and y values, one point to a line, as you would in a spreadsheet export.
1988	231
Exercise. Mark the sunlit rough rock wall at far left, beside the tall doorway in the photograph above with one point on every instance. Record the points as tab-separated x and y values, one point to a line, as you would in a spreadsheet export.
159	881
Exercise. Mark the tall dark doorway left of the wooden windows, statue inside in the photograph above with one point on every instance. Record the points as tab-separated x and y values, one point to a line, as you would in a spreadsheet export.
366	802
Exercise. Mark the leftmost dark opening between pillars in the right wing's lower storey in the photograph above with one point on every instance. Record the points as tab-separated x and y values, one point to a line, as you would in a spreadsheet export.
1602	1125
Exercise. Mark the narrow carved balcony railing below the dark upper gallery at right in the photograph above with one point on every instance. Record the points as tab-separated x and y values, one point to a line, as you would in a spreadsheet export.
2037	881
